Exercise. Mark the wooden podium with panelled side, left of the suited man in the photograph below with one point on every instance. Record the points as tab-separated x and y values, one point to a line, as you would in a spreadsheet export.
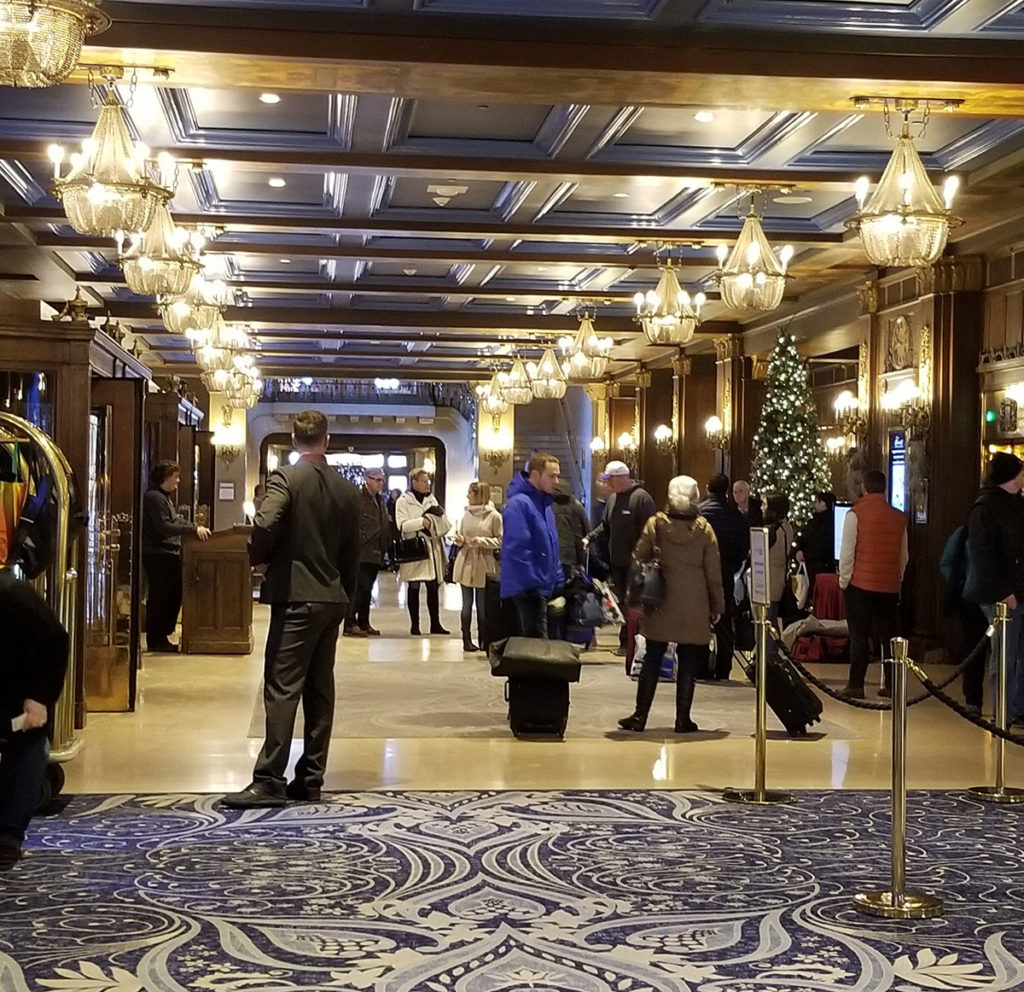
218	599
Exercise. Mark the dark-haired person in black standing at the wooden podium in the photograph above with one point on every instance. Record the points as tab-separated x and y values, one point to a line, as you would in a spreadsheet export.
162	531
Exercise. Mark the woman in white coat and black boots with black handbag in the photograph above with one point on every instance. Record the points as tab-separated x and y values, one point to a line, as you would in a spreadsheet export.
418	512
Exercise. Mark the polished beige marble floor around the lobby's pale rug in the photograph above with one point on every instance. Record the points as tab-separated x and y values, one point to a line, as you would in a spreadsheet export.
189	735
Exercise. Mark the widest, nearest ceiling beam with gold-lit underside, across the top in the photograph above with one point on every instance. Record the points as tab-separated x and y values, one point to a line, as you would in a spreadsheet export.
505	59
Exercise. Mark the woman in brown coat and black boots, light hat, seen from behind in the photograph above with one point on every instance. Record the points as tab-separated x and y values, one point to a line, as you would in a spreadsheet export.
694	600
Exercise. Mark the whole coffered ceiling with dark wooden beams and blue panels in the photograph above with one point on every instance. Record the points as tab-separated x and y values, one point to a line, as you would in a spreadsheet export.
441	181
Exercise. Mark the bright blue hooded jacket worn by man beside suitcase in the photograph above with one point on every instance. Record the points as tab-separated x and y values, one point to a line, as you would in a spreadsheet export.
530	542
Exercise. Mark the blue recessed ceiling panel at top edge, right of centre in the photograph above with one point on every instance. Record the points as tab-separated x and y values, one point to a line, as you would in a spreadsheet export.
894	16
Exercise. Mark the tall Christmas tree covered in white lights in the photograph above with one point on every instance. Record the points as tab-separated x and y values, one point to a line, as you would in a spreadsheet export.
789	456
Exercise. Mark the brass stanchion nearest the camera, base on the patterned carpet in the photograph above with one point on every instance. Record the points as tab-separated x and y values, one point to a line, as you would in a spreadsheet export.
899	903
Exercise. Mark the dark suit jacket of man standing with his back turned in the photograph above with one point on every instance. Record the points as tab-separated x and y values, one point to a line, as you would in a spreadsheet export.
308	534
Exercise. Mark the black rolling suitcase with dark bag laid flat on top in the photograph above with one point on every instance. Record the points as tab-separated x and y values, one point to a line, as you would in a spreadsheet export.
539	673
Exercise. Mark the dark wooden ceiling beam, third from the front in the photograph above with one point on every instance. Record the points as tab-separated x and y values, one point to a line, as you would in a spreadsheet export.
627	234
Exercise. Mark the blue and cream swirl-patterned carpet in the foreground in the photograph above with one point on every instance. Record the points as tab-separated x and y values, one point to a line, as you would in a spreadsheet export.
509	892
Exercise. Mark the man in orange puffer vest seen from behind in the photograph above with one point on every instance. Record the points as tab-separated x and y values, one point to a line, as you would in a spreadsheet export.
873	558
